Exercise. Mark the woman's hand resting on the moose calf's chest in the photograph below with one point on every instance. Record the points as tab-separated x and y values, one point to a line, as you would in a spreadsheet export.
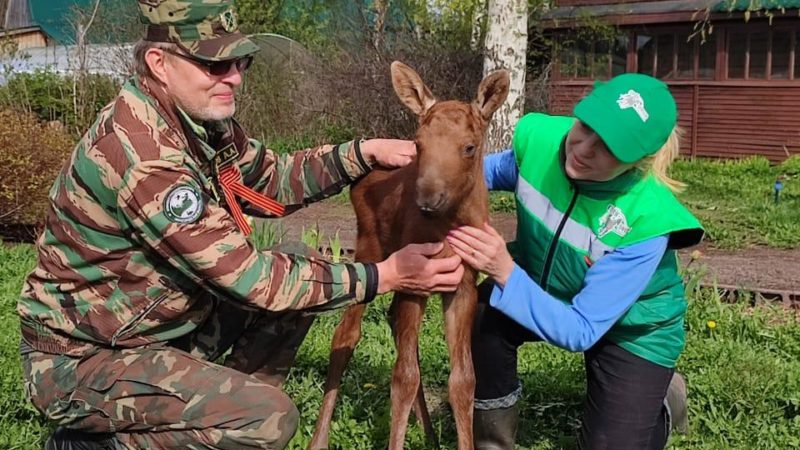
484	249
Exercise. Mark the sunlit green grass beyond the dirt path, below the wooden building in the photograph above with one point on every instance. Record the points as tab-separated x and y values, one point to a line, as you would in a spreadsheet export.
735	201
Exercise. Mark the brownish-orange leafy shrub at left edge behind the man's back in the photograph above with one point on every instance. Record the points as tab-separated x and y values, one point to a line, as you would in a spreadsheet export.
32	155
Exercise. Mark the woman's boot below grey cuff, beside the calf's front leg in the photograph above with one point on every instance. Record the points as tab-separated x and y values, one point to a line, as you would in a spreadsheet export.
495	429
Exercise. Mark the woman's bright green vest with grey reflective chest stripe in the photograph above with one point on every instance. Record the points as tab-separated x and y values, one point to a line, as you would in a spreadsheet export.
565	226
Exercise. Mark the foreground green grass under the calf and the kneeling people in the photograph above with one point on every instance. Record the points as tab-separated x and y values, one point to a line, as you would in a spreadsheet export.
743	376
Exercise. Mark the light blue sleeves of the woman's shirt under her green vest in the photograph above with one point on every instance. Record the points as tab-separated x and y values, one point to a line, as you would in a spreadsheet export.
611	286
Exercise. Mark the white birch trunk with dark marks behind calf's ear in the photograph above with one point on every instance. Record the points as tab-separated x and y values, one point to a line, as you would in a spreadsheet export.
505	46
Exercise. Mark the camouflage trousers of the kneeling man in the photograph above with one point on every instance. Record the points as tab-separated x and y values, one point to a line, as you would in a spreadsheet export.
174	395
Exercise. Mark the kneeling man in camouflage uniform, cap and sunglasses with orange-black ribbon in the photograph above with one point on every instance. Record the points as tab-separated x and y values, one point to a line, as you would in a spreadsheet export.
145	276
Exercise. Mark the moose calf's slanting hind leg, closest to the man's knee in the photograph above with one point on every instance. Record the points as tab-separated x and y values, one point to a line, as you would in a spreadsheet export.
345	338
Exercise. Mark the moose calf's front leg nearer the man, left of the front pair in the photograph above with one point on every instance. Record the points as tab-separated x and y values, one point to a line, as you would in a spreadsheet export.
406	320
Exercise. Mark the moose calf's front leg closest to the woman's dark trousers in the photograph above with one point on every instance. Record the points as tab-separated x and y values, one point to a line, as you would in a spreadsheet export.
459	312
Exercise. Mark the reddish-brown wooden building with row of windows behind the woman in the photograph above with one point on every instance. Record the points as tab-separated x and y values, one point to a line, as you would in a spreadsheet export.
738	90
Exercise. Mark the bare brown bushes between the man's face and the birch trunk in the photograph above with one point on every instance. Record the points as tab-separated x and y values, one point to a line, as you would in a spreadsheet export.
341	95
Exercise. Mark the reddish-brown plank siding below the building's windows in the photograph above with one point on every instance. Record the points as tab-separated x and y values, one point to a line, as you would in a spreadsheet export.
721	121
